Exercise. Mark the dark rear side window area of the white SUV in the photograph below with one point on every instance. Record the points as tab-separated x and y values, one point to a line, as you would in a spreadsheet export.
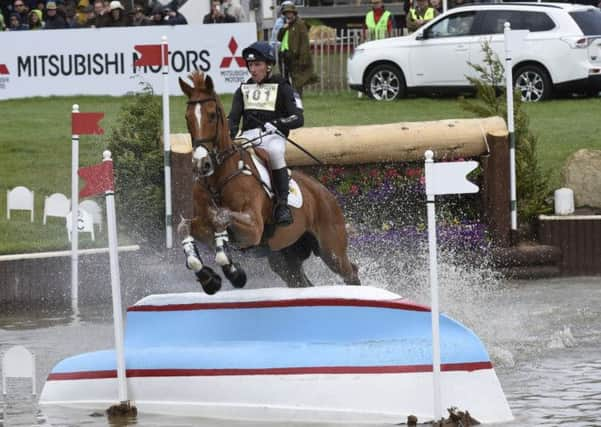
493	21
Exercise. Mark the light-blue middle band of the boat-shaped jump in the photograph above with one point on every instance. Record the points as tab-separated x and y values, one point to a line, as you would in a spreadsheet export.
231	338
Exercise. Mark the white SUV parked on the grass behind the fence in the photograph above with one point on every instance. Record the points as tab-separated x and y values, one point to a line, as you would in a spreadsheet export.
561	52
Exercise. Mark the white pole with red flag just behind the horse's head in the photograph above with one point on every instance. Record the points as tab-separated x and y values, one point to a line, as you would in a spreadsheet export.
166	144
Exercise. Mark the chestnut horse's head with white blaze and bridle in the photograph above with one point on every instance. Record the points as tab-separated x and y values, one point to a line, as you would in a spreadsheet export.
205	119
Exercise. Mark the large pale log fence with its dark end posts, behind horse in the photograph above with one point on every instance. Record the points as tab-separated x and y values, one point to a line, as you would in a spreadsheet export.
485	139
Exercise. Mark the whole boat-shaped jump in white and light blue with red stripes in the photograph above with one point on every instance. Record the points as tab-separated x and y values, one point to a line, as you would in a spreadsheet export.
325	354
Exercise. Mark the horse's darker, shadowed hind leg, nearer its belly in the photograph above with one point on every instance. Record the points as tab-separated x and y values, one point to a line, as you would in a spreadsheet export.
288	264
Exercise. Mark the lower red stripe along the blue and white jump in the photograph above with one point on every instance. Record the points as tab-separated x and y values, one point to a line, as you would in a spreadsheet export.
132	373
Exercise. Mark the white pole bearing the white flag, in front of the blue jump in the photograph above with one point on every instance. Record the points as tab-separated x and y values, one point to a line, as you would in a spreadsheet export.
432	248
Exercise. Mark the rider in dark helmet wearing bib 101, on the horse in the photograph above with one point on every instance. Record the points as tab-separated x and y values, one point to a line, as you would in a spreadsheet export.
269	108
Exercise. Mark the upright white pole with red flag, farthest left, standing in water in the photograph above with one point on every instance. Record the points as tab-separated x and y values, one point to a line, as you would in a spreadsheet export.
74	216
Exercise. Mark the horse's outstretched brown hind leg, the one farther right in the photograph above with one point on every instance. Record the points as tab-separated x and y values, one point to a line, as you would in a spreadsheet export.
333	251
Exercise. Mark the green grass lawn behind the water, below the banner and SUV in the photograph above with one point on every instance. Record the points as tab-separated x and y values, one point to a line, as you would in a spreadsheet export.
35	143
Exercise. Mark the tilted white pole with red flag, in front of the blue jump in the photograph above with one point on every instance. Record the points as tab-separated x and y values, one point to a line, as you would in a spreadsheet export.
111	221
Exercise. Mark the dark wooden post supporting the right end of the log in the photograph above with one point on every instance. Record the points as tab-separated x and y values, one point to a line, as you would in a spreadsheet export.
496	183
